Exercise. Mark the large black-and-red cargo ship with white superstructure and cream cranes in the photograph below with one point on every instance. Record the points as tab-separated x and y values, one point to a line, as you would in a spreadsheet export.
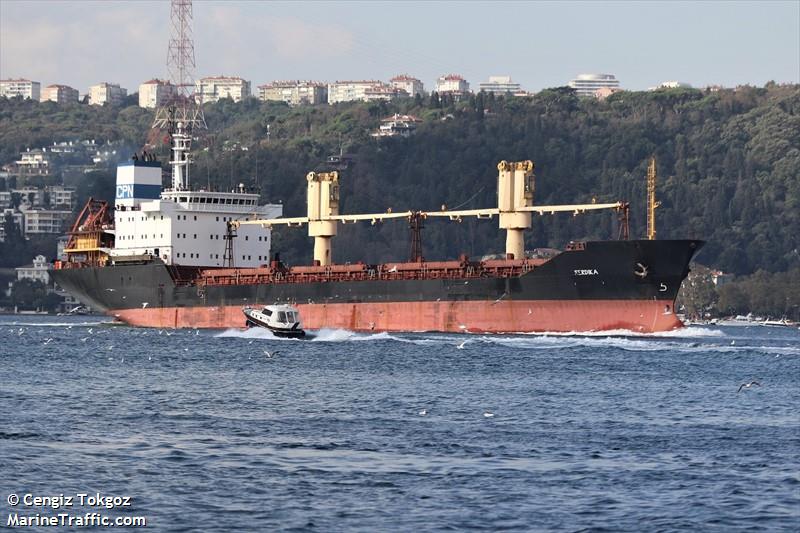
194	258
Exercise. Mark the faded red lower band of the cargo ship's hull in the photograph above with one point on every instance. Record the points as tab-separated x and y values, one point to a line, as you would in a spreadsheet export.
472	317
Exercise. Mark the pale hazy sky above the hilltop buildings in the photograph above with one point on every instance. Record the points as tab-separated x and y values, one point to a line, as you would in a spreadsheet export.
539	44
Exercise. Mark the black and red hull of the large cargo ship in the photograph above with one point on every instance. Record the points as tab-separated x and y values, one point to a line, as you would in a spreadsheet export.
594	288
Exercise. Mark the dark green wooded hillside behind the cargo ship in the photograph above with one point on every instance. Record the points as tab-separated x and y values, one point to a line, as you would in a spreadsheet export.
728	165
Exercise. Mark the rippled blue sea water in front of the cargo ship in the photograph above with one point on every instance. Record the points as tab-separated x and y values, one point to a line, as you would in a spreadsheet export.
232	430
